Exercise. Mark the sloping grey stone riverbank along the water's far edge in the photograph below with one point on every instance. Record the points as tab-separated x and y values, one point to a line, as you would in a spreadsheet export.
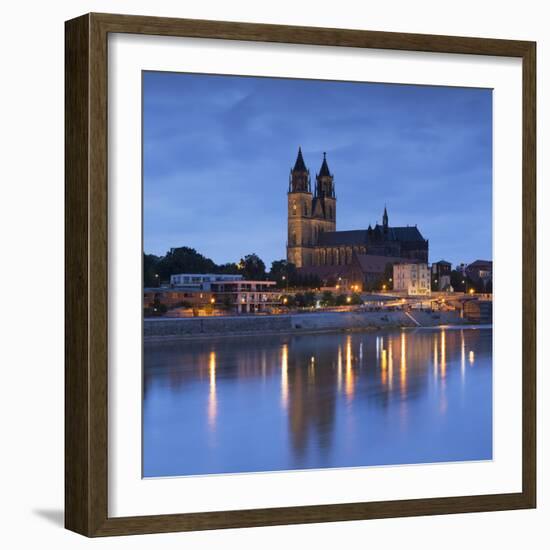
200	327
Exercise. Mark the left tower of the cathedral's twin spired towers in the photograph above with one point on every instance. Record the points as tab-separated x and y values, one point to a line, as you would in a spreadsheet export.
300	199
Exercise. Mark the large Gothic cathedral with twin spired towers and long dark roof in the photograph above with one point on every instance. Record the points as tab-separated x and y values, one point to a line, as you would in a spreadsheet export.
314	242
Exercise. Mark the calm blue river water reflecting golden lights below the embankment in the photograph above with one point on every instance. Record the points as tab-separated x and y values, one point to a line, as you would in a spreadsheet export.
317	401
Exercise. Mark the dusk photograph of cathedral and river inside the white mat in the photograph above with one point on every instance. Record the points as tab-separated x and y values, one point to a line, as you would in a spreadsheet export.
317	274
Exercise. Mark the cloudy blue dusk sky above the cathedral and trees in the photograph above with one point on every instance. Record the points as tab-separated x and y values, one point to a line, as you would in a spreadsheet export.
218	150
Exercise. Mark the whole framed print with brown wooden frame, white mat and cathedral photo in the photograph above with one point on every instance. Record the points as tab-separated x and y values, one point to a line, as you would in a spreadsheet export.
300	275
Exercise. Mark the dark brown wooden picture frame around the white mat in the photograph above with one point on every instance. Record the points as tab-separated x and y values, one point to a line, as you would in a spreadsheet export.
86	364
